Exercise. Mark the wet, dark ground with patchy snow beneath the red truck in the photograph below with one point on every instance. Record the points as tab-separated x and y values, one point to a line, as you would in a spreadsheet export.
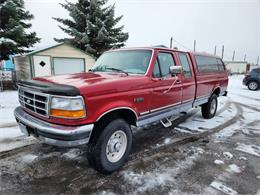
221	156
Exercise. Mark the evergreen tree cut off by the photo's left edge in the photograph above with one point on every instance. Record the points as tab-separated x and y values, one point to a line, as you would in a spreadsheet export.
13	38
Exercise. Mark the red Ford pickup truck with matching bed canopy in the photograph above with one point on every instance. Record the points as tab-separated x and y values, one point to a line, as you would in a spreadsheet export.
126	87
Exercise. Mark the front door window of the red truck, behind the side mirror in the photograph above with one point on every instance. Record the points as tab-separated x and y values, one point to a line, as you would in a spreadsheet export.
165	61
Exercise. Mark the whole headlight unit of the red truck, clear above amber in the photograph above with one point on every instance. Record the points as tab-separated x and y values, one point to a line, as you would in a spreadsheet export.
67	107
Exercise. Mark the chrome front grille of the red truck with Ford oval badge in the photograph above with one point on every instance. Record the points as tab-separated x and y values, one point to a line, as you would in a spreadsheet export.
34	101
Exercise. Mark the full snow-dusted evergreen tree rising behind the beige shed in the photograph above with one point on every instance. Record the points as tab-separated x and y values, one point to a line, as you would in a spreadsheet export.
93	26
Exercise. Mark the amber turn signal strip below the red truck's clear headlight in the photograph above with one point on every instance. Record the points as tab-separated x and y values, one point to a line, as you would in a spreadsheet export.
73	114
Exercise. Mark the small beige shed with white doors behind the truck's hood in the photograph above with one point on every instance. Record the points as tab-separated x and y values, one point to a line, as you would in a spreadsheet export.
58	59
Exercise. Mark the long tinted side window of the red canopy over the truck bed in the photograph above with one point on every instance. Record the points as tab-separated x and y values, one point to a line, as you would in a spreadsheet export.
208	64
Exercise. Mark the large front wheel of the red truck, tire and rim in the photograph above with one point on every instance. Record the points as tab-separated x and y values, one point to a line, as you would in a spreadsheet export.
110	149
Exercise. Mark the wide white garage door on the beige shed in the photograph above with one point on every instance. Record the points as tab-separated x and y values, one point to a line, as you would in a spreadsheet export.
68	65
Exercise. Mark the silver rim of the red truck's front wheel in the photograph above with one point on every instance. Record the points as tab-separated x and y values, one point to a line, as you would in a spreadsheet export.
116	146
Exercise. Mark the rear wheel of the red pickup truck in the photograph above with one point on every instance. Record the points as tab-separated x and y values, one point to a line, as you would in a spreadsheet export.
209	109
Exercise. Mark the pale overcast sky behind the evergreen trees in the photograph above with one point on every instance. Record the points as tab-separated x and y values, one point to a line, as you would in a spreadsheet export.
233	23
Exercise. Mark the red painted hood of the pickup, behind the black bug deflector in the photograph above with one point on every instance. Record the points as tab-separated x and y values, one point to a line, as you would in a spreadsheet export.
92	84
